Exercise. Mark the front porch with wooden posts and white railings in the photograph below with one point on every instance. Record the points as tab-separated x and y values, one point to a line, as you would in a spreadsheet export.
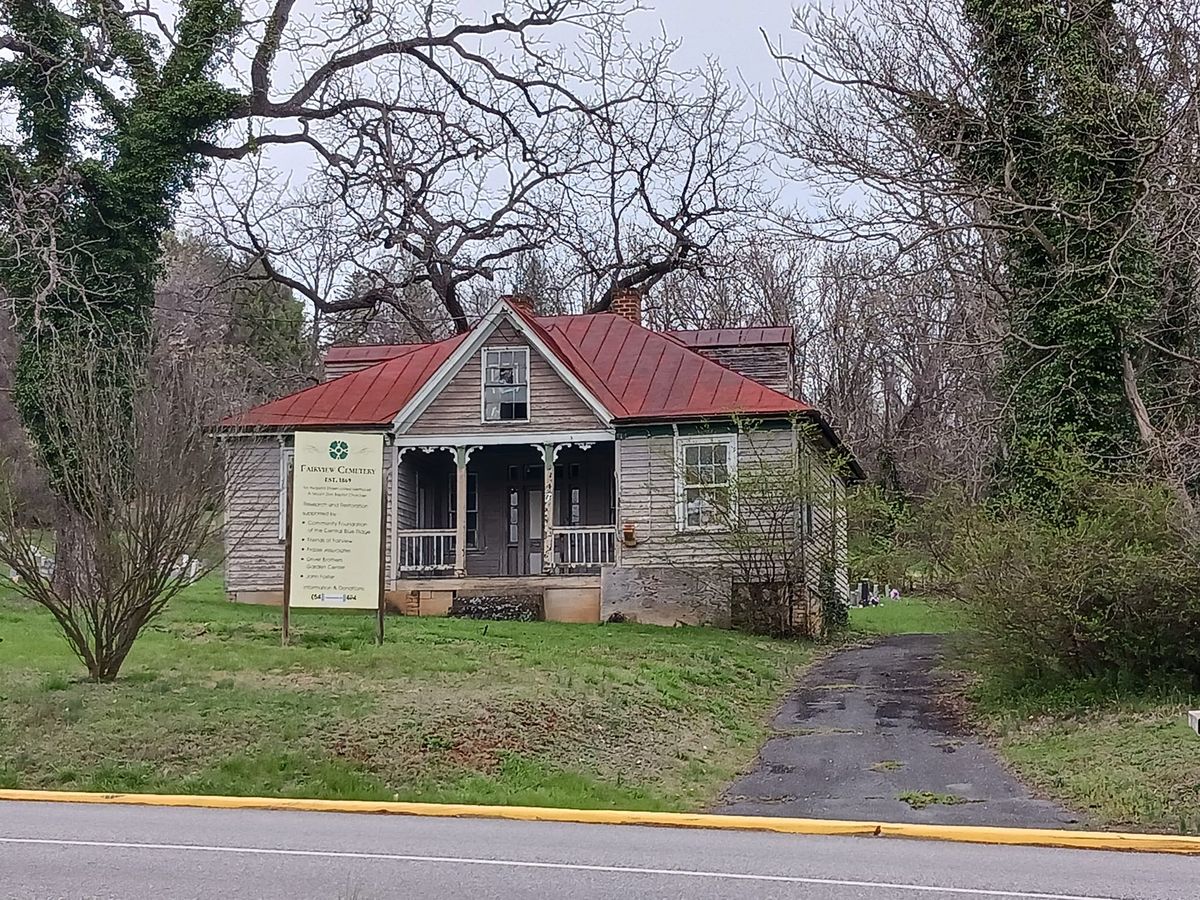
505	518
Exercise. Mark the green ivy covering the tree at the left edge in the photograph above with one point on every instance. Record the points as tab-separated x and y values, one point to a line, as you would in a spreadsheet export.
103	197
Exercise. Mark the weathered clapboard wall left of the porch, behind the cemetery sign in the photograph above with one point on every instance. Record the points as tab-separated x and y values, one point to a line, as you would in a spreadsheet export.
254	548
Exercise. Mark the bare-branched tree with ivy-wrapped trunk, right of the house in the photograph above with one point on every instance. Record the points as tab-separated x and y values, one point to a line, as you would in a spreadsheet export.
917	130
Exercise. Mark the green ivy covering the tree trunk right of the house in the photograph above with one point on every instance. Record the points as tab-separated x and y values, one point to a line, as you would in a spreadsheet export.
1060	142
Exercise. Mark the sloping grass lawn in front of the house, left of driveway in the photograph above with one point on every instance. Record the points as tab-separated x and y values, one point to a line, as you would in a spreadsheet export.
447	711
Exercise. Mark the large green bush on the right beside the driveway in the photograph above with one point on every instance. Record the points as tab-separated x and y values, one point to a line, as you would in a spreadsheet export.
1112	589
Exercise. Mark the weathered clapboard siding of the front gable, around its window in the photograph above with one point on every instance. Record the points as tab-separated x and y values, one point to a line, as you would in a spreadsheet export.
554	405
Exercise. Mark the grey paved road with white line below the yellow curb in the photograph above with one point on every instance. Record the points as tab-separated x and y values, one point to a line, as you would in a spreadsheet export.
154	854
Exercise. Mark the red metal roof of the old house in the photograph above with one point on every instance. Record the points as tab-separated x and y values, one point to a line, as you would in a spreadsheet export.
638	375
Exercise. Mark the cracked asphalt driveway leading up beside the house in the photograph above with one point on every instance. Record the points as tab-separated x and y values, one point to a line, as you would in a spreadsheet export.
868	725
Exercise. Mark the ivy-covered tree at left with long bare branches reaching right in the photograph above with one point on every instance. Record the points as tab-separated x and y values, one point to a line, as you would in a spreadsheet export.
118	112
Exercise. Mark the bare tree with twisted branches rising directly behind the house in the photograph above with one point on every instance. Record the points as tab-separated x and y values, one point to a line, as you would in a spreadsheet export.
629	173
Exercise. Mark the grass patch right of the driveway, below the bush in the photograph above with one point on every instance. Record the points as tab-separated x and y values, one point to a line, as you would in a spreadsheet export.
1125	759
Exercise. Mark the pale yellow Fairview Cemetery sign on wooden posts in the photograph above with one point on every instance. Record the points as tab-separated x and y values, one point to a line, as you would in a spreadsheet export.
337	549
